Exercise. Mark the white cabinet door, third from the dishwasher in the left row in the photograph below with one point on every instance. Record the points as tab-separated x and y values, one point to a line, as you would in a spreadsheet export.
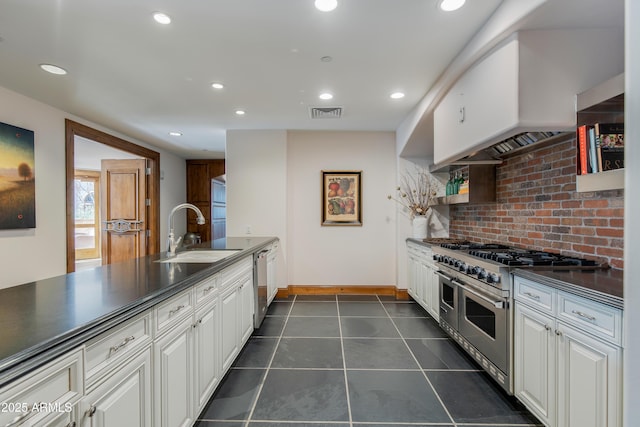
206	353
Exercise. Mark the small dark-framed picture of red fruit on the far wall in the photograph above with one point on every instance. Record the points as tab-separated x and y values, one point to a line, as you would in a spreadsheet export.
341	198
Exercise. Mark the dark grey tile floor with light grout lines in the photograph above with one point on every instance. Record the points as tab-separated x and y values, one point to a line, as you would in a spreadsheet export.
356	361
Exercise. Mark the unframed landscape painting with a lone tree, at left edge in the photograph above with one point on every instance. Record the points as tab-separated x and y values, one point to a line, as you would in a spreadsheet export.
17	178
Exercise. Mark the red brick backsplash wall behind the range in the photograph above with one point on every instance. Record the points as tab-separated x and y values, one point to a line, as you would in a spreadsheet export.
537	207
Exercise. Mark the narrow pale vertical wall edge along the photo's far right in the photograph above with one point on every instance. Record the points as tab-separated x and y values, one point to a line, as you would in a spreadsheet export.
631	395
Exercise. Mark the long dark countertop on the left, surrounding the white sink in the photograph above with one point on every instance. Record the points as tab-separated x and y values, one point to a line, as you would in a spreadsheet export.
43	319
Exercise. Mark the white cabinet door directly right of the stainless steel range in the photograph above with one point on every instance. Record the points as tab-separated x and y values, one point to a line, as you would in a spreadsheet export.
534	364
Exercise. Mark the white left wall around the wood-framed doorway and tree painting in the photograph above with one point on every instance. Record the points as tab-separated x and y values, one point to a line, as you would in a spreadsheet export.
47	242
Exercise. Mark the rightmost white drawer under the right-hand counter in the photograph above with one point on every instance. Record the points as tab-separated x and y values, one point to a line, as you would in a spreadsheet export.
599	319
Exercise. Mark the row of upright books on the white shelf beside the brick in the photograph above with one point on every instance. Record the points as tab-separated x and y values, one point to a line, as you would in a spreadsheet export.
600	147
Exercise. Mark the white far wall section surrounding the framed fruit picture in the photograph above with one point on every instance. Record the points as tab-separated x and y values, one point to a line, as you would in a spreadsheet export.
341	255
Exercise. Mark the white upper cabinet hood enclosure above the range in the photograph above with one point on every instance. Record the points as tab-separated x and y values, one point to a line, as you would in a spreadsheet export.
514	88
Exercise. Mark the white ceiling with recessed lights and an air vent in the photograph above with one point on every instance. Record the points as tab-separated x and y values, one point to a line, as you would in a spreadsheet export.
130	74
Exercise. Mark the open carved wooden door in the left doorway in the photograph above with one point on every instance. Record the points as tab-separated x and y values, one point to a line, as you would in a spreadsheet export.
124	210
